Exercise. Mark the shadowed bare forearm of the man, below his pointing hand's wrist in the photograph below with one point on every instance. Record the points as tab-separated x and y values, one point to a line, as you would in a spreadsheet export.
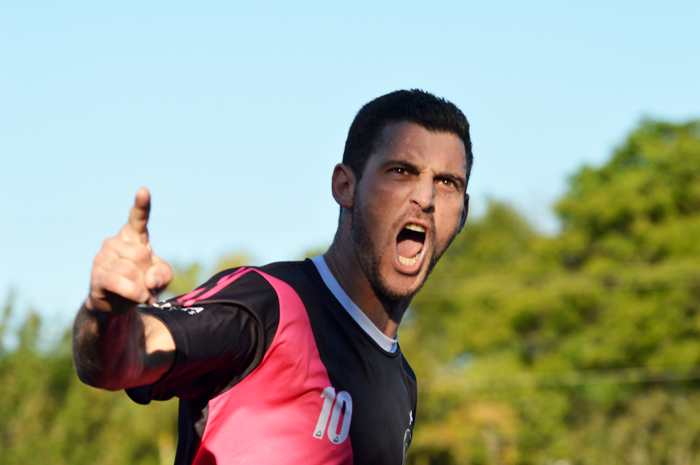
109	349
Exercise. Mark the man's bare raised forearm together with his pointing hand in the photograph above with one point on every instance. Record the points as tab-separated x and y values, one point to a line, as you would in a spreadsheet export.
115	346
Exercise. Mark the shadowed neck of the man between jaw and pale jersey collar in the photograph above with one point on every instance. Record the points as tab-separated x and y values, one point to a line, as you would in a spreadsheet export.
343	262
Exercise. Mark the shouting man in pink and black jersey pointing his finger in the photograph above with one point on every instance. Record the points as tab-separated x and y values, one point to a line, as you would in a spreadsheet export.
293	362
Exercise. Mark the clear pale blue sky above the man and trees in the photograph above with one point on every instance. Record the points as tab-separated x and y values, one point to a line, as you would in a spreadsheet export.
234	116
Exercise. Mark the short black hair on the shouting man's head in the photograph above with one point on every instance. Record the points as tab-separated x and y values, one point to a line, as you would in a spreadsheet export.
412	106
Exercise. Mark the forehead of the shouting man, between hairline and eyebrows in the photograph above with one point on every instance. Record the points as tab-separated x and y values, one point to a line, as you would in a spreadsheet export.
413	143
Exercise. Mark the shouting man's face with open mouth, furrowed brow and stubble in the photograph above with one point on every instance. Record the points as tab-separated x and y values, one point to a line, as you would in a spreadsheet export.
407	207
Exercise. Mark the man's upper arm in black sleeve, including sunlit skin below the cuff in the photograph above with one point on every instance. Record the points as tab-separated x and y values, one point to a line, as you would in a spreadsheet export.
208	347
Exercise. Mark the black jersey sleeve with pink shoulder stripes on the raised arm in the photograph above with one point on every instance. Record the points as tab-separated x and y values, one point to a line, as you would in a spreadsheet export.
221	332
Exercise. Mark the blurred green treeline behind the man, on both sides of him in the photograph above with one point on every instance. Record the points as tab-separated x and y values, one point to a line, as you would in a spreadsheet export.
582	348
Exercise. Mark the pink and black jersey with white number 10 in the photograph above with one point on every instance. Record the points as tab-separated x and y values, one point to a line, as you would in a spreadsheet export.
276	365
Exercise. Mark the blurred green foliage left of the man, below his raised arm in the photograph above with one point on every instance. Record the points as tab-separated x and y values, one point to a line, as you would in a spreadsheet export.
48	416
